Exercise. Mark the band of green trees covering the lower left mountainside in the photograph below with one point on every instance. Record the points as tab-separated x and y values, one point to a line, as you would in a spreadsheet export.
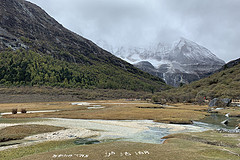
26	67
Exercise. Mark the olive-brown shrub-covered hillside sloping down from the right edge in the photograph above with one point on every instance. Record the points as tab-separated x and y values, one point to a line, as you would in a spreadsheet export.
224	83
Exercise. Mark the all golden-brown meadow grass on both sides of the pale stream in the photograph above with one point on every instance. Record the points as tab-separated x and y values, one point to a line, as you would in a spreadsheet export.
209	145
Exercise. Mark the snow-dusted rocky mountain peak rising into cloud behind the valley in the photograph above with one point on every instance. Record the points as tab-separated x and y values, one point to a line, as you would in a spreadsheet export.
182	62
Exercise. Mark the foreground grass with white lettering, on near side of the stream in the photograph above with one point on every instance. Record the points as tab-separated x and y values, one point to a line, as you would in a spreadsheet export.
208	145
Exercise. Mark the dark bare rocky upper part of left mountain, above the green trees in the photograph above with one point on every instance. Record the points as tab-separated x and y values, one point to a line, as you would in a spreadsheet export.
27	25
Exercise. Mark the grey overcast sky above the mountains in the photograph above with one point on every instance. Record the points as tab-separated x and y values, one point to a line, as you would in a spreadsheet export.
214	24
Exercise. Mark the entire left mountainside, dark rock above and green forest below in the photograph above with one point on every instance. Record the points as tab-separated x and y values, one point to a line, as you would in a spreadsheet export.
37	50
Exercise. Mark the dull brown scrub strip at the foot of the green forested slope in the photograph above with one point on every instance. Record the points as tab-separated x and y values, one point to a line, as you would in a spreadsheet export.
52	94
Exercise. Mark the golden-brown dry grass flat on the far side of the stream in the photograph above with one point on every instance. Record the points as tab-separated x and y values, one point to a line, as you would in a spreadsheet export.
179	113
